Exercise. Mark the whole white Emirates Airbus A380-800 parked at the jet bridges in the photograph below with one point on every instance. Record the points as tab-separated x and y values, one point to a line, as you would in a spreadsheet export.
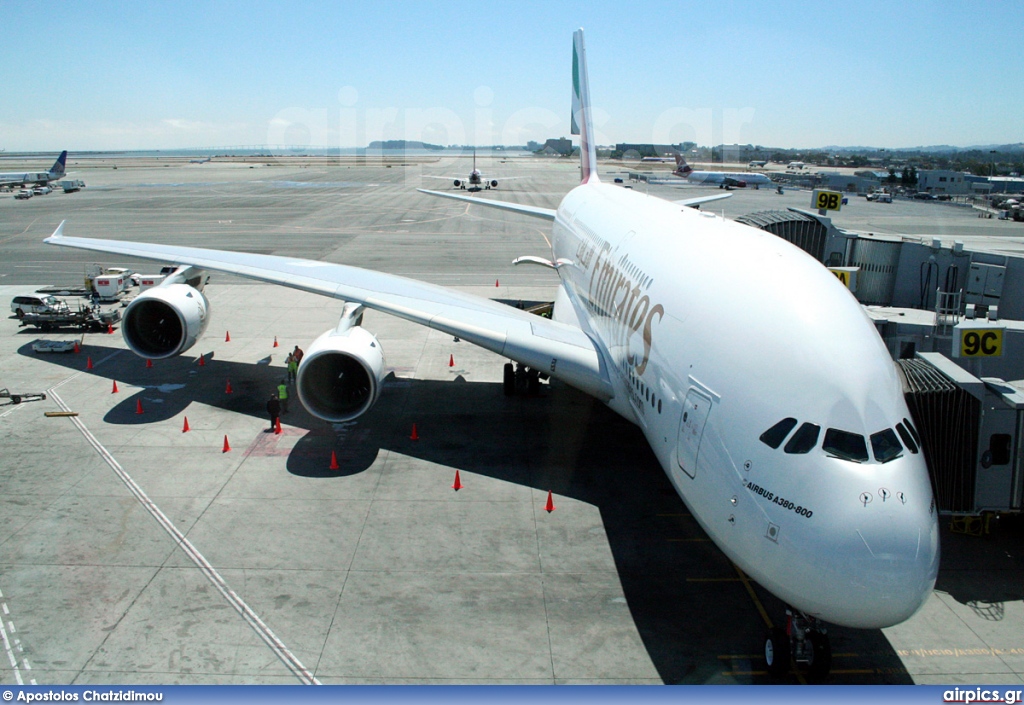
759	382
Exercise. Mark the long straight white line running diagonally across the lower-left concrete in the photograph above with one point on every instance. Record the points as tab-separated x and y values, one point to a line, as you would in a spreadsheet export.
247	613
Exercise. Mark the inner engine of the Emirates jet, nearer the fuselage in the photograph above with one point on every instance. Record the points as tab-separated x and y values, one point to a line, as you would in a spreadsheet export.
340	376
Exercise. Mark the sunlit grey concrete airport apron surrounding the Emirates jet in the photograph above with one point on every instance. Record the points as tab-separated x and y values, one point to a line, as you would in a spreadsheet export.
134	553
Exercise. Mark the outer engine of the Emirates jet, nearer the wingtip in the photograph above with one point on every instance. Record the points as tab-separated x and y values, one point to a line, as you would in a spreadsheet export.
165	321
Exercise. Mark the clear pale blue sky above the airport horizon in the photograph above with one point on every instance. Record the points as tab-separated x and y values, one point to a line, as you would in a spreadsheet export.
165	75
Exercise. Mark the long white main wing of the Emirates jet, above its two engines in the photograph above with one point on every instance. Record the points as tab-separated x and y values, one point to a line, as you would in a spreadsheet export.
556	349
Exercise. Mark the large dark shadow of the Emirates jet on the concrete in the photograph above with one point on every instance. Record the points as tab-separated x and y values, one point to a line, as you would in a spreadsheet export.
698	624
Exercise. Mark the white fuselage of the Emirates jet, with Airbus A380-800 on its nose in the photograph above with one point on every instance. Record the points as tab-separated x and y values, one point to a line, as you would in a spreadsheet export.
713	333
